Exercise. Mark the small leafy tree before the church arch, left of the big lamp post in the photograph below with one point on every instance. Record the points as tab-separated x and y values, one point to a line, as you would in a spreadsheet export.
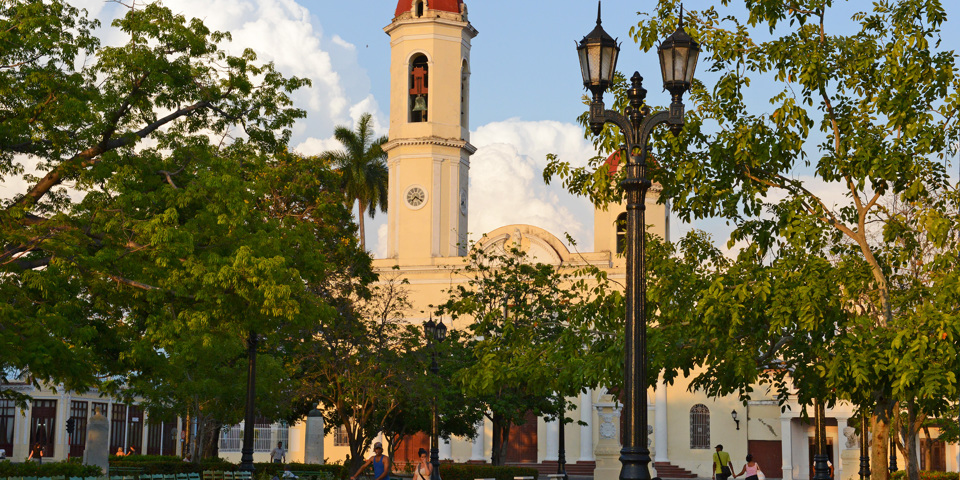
529	323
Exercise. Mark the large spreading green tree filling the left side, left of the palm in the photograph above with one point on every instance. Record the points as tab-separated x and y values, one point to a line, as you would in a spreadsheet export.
146	278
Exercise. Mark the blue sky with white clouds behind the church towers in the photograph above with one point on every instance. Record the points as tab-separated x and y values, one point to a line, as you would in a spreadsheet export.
525	87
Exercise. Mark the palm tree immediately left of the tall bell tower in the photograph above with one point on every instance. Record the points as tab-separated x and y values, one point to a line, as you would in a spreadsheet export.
363	168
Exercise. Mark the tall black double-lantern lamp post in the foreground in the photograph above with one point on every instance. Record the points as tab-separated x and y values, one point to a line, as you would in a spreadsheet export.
598	60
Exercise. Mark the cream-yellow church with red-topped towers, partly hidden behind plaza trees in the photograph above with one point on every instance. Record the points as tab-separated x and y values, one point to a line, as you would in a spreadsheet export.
429	163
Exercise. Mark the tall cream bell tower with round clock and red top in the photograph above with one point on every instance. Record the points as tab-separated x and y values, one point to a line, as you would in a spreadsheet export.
428	154
